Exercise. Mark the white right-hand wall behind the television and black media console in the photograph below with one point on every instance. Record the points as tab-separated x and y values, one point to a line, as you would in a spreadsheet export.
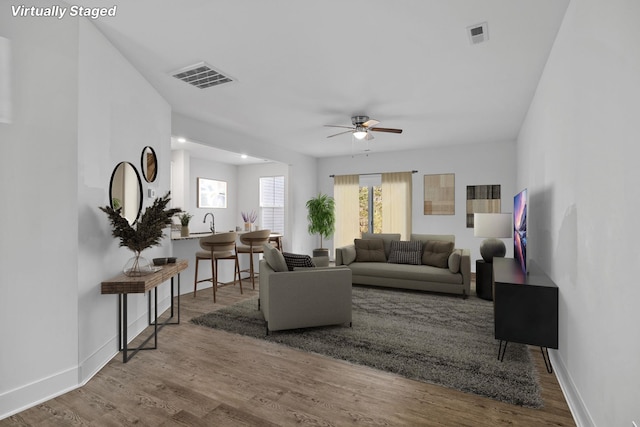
577	155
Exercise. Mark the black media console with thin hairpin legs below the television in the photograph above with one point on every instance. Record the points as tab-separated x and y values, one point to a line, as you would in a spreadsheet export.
525	307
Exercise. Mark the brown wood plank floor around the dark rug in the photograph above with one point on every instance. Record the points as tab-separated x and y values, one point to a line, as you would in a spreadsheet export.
204	377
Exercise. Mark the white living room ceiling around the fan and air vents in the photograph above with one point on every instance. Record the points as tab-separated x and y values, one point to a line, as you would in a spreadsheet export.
299	65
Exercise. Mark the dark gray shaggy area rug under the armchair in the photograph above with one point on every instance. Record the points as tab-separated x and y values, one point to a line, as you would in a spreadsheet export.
434	338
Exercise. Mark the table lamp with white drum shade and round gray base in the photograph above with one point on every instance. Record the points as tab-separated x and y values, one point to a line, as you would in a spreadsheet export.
493	226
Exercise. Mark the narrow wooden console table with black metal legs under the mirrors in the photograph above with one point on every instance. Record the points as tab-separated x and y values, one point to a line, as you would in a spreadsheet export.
124	285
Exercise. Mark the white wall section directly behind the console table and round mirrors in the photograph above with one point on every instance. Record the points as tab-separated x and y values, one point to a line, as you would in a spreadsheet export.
119	114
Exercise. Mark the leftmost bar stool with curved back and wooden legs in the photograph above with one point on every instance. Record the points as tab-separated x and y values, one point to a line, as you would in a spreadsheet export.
217	247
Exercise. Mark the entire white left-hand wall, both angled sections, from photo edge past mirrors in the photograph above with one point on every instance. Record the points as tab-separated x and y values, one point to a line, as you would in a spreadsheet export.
78	108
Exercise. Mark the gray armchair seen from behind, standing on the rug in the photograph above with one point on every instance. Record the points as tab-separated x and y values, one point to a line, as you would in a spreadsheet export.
304	298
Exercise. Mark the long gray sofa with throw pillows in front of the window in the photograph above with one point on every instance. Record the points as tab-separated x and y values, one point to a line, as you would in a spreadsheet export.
453	275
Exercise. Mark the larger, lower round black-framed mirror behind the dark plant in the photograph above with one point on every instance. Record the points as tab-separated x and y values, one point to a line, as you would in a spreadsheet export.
125	191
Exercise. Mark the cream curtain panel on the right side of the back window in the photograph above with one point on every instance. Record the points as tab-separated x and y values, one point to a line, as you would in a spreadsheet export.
396	203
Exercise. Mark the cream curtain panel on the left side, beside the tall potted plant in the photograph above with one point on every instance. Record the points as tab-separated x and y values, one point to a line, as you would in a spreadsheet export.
345	193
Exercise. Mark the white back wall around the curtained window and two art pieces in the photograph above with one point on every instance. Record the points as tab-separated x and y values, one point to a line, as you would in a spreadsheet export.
472	165
